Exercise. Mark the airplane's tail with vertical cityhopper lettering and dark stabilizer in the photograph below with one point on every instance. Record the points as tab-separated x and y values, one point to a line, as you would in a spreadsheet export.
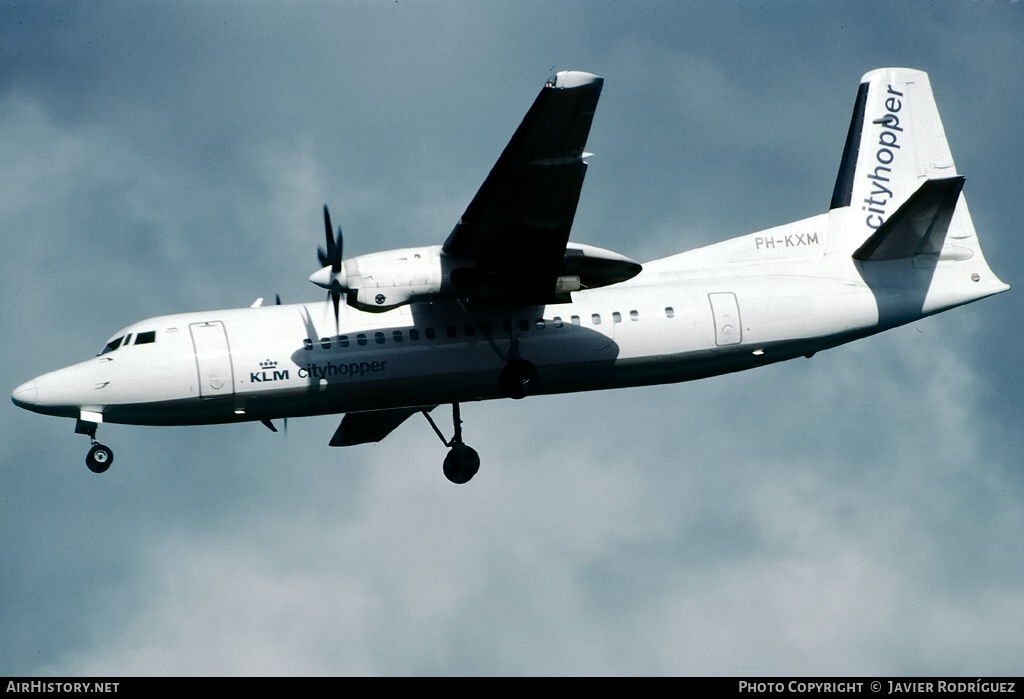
899	196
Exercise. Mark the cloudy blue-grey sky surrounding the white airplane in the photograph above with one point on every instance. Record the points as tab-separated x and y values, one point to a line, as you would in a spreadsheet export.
858	514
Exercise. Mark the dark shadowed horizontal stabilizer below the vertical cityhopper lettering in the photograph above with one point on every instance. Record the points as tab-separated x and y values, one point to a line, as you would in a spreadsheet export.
919	227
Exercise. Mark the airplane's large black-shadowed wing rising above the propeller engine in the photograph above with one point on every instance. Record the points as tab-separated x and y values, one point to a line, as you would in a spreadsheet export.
517	229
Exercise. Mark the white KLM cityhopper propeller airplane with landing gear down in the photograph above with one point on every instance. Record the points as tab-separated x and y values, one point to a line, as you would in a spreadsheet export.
508	308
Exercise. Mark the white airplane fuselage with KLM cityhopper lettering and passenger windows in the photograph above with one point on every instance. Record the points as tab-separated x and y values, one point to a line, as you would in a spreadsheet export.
762	298
